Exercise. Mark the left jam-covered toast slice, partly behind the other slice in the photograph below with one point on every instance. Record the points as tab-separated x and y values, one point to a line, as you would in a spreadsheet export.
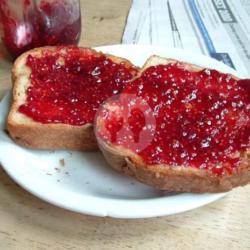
56	92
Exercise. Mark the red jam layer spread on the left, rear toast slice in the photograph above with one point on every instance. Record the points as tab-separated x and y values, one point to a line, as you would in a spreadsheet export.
69	84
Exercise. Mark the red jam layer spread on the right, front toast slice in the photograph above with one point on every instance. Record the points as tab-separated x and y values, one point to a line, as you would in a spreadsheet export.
201	119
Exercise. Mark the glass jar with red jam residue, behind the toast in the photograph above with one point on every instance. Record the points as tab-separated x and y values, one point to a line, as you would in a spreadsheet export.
26	24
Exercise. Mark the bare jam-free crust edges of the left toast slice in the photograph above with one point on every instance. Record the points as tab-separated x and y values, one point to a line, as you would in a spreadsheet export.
29	133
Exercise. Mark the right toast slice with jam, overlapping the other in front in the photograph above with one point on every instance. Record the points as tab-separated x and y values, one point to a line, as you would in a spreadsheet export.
189	142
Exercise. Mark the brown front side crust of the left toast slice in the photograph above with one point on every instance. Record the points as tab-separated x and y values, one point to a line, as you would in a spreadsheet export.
53	136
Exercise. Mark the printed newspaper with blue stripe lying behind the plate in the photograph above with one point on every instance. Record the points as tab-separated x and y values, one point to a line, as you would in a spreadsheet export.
217	28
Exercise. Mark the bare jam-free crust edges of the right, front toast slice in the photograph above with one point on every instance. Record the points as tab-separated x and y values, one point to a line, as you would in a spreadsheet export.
166	177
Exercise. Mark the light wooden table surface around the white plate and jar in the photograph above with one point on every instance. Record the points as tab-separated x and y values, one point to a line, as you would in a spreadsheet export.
29	223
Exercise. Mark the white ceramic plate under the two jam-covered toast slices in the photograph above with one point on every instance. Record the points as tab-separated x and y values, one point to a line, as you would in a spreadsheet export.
86	184
